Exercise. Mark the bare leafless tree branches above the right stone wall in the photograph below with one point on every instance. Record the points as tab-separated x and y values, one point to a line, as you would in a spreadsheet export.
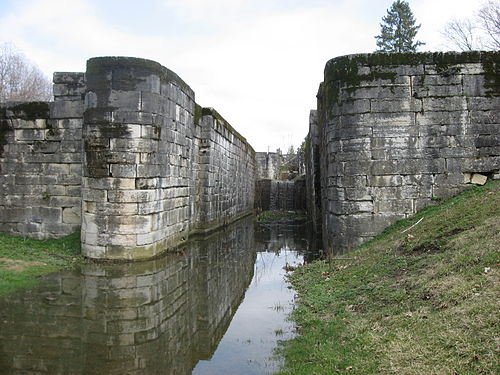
481	32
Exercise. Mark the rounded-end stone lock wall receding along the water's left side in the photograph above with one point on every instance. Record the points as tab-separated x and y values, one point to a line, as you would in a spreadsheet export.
154	170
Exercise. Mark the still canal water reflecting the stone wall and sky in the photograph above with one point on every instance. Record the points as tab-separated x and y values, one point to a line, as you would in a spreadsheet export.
219	306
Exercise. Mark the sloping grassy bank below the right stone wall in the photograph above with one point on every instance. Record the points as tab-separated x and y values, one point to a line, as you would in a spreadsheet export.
421	298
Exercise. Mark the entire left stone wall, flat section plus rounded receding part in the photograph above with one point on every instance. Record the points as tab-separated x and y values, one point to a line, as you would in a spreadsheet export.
124	154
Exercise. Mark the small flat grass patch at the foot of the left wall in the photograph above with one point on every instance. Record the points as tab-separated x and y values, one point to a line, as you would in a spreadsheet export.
22	260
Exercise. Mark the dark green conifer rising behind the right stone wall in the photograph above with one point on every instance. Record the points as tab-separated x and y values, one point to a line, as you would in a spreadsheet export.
398	30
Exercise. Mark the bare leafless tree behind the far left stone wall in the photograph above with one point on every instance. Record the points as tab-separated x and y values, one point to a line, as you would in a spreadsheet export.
20	79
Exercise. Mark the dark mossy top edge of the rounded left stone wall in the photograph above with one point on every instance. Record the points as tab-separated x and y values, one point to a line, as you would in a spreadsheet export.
108	62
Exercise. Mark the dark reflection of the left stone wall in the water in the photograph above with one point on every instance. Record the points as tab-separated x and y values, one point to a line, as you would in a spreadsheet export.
151	317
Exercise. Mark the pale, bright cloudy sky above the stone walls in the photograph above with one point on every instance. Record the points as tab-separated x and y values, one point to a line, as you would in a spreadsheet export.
257	62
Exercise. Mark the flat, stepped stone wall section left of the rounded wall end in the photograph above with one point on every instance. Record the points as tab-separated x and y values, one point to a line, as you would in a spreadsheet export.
40	162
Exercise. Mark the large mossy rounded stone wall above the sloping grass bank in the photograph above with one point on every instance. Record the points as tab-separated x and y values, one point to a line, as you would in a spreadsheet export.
400	131
